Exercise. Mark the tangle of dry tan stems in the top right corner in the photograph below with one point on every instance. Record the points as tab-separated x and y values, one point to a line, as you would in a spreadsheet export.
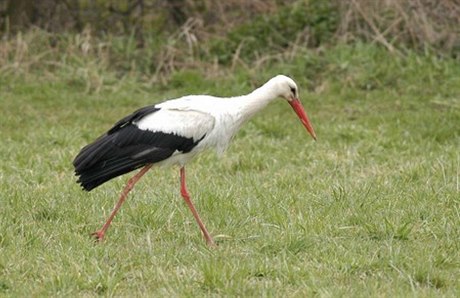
414	23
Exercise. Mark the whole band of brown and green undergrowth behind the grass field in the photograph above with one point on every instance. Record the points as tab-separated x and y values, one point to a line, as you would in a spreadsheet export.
153	38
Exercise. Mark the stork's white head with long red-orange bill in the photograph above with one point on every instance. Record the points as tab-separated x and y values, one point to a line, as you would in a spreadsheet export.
287	89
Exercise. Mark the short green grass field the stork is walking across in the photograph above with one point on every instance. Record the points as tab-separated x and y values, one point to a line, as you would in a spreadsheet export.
371	209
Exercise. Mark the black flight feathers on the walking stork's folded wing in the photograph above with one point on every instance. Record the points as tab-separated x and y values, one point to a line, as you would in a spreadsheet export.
124	148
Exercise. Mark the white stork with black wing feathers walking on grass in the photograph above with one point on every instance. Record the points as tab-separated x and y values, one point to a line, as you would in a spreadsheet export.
173	132
